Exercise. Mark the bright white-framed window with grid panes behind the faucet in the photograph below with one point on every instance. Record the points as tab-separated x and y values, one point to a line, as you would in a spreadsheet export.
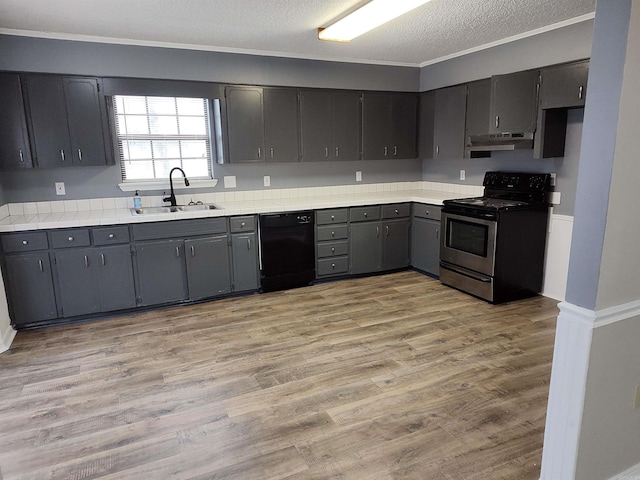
155	134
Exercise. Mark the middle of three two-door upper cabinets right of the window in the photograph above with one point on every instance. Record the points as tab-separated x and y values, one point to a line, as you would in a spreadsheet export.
330	125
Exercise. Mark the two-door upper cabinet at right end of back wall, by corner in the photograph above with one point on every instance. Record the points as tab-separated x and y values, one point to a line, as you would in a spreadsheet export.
389	125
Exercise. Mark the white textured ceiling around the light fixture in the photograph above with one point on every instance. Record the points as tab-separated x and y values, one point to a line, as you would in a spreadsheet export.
438	30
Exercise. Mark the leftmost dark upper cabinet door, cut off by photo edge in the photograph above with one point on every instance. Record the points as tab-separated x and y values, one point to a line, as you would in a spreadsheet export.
14	141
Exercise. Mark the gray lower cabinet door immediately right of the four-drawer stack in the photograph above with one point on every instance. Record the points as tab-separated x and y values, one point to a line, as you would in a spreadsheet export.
366	247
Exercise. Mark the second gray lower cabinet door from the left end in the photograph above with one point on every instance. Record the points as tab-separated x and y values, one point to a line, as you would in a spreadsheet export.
77	283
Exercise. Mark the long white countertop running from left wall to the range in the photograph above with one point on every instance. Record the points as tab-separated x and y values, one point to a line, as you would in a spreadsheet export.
16	223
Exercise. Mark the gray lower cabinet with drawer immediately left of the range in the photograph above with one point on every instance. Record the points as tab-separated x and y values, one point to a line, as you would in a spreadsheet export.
425	238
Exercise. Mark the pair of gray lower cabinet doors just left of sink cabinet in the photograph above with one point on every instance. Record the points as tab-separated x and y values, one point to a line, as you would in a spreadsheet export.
94	279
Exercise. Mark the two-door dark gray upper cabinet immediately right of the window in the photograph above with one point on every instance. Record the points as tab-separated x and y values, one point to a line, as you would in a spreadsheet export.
262	124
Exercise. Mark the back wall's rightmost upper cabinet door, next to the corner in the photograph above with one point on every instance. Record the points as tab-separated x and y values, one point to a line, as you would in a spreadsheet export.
404	124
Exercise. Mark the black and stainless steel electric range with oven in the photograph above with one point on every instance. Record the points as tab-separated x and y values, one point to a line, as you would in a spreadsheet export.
493	246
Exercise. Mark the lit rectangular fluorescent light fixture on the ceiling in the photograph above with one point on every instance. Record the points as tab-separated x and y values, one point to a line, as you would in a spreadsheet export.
366	18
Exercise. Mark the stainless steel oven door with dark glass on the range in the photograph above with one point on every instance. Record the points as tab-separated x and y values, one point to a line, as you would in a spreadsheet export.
468	242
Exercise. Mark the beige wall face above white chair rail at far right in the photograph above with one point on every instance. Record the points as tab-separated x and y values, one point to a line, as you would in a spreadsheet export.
620	270
